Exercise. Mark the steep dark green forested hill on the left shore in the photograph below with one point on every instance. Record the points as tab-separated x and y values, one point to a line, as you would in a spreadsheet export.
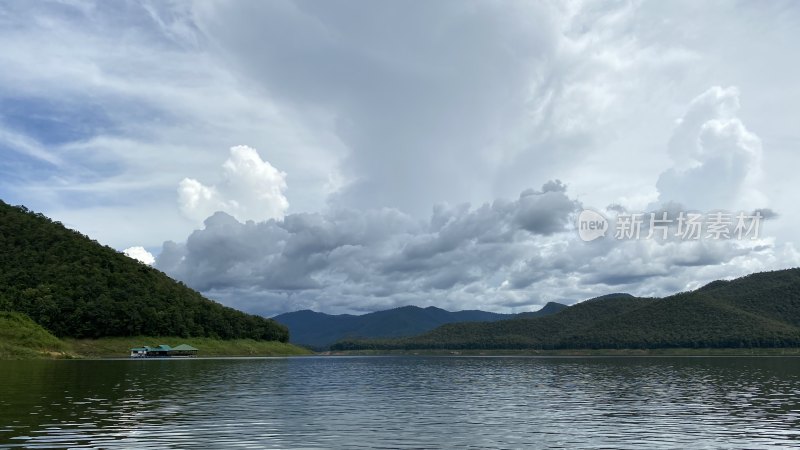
75	287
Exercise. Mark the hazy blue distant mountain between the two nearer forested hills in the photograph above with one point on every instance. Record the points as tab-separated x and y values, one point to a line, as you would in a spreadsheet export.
319	330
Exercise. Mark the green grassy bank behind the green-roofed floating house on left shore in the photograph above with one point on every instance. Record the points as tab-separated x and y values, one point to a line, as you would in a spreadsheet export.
119	347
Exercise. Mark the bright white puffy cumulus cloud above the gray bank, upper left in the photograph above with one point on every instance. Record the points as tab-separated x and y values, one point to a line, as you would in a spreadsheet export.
250	189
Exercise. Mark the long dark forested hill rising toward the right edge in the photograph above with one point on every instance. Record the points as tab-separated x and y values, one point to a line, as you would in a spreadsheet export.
759	310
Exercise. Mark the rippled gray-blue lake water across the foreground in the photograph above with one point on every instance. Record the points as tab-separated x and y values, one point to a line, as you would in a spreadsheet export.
402	402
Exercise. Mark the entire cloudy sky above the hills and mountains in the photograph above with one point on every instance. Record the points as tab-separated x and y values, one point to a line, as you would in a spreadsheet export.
349	156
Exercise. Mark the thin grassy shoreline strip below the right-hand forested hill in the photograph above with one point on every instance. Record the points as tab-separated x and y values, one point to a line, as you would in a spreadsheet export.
583	352
